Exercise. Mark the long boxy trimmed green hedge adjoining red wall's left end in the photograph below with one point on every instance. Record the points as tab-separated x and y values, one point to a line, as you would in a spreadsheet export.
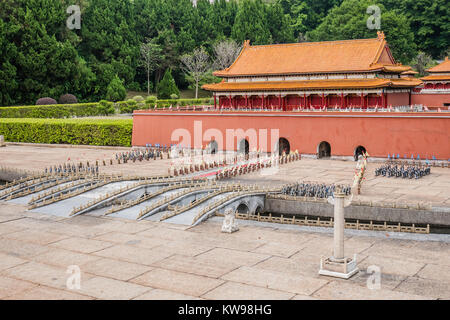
68	131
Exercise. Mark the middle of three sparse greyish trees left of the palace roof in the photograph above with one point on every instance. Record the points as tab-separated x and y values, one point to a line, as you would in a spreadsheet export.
195	66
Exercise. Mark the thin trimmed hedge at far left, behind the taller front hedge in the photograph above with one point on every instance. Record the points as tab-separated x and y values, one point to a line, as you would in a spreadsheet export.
55	111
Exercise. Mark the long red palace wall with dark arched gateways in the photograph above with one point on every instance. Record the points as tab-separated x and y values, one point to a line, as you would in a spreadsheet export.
426	134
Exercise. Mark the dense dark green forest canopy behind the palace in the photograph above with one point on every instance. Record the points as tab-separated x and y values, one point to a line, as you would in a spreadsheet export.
41	57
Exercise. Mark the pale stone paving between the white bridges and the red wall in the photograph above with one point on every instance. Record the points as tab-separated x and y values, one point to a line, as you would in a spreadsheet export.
434	188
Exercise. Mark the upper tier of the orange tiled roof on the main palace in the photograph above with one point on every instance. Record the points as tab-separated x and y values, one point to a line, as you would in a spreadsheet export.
314	57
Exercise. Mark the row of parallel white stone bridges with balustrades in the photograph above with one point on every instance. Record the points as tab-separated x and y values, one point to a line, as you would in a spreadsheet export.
170	199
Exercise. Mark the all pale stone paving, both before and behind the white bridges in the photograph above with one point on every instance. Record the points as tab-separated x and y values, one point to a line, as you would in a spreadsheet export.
123	259
